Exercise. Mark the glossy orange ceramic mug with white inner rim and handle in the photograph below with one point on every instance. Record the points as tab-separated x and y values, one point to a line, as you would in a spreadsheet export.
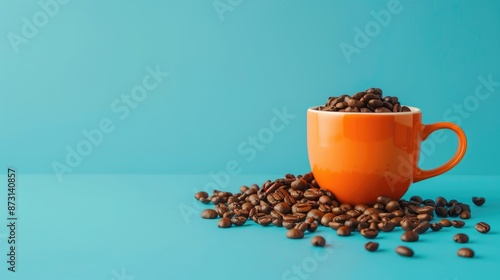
360	156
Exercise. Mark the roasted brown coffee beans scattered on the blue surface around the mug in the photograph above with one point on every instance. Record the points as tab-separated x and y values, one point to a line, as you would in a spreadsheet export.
298	204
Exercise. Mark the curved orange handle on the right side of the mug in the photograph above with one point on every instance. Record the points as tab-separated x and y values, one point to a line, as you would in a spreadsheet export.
459	154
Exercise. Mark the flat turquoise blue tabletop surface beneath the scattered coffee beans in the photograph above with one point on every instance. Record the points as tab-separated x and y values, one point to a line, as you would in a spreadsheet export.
149	227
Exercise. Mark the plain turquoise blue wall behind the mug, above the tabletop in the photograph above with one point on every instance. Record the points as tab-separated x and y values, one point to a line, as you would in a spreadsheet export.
228	72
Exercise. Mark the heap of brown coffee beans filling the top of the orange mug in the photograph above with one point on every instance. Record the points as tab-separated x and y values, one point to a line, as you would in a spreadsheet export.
368	101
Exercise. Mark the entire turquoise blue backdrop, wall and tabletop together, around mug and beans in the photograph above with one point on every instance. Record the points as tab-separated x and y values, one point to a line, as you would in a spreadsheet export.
120	208
